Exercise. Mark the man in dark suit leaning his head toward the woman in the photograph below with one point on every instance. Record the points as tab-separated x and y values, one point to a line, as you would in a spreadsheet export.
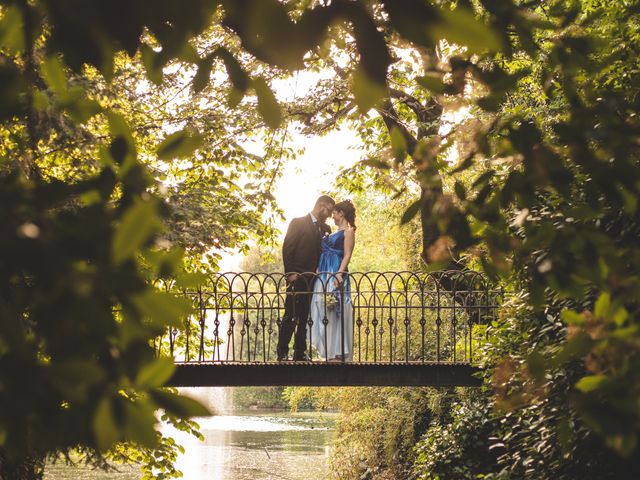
300	253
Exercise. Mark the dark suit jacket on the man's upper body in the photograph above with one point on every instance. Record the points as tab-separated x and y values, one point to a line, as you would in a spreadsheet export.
301	247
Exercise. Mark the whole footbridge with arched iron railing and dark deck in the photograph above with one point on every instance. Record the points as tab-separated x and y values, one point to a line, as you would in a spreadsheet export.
402	328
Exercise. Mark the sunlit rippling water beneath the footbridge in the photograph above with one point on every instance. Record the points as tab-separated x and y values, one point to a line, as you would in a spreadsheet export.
239	445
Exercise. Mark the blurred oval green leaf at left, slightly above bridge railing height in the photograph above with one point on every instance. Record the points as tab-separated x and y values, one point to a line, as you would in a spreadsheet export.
138	223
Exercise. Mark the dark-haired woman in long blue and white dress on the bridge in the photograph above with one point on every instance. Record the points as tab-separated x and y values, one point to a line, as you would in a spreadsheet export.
332	333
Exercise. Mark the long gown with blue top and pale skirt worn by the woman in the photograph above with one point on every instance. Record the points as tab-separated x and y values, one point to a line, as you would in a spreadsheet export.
327	304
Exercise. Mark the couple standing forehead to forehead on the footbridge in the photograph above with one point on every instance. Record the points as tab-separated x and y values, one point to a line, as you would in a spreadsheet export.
309	246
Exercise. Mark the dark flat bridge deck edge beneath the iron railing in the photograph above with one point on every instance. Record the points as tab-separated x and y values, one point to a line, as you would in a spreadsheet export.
325	374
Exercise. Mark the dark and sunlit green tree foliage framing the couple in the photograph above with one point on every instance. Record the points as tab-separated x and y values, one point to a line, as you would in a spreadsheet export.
544	197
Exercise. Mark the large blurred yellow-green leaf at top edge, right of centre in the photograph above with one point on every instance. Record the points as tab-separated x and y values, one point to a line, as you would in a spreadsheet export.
461	27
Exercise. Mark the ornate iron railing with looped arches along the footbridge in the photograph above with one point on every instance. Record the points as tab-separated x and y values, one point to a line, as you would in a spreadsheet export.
394	317
